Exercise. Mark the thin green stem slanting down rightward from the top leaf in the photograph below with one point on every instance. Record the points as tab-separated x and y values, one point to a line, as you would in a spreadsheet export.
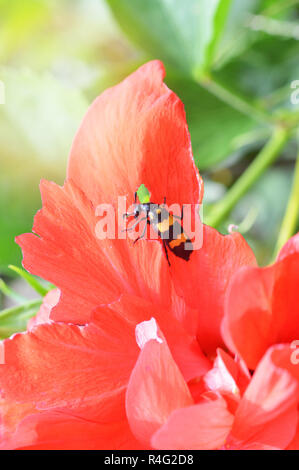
234	100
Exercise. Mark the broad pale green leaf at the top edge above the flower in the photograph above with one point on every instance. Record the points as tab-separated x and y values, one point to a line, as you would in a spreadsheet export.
184	34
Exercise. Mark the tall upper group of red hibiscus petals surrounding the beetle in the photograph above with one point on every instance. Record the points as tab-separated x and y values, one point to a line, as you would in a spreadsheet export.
133	133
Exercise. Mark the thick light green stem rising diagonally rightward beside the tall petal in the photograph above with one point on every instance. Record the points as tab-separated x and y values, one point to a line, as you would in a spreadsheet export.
264	159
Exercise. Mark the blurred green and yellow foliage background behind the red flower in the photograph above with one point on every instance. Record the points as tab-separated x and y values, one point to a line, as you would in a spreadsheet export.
56	56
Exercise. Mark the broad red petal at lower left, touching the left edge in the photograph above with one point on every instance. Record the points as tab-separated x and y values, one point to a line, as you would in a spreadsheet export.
57	364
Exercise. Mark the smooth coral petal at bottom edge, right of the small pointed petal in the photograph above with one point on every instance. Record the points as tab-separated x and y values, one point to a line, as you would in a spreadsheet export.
200	427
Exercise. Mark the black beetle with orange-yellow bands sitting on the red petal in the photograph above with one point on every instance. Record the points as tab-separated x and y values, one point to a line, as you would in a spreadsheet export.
168	226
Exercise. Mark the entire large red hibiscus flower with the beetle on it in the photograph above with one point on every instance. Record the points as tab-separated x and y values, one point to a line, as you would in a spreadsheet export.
119	356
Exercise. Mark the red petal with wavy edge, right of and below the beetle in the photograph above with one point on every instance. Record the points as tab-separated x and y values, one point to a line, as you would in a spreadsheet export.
203	280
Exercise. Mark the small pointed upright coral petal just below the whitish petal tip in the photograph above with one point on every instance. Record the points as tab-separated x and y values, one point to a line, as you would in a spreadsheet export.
156	388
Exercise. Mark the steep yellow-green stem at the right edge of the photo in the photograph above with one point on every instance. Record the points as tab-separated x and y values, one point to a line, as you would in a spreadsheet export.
291	216
